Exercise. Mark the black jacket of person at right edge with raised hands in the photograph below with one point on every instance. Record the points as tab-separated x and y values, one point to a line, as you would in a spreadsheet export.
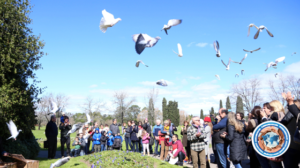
290	122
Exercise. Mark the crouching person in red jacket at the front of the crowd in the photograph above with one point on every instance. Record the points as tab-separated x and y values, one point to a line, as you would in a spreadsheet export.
178	152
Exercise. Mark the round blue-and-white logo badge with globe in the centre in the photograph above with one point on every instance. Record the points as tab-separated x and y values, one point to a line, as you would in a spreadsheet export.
271	139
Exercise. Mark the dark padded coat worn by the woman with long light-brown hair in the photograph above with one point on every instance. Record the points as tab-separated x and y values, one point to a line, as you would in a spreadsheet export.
237	141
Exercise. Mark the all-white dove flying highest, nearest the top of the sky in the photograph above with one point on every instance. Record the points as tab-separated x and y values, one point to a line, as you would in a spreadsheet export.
108	20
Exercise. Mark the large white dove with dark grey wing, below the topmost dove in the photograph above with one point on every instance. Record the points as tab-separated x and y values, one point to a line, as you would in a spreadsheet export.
143	40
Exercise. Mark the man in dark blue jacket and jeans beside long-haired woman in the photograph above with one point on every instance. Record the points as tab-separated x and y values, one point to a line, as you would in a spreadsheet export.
221	145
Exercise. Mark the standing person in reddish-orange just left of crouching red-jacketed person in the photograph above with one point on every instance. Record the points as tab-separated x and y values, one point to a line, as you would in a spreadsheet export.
164	133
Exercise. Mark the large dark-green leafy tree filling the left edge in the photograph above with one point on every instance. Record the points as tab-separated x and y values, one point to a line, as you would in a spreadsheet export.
20	52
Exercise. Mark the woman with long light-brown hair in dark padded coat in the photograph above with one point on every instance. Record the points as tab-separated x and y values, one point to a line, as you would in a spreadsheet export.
235	137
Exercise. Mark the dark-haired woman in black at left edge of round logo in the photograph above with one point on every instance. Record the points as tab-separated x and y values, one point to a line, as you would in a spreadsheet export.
253	120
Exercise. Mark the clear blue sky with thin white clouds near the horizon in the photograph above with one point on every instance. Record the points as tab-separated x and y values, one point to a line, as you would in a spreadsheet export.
84	62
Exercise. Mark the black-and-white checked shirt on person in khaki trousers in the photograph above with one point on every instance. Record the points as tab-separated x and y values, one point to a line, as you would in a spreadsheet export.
197	143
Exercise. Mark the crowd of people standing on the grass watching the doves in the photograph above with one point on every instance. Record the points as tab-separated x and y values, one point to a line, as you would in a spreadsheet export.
230	136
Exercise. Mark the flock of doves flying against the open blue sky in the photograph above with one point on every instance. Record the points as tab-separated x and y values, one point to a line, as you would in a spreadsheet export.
143	41
